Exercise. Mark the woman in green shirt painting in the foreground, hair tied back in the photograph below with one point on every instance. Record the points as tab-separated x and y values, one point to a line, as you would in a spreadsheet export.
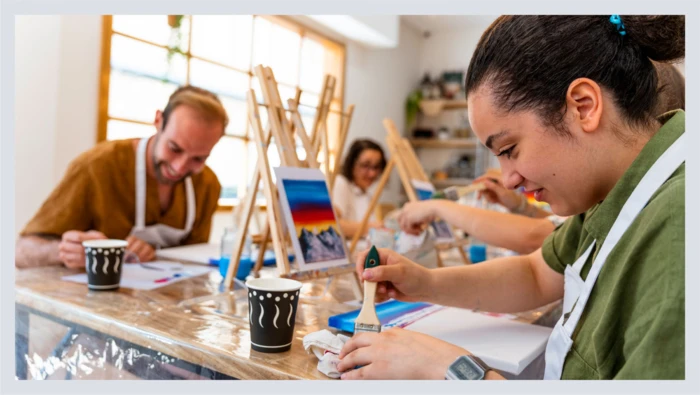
567	104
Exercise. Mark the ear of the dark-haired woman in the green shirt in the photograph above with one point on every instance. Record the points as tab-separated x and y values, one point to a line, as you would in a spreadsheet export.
585	99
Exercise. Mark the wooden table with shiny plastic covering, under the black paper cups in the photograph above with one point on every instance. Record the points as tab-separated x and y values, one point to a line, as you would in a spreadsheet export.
191	321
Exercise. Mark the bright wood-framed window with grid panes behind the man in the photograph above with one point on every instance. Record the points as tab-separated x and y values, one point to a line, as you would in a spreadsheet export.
218	53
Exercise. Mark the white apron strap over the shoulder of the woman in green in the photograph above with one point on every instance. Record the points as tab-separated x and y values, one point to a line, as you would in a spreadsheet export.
662	169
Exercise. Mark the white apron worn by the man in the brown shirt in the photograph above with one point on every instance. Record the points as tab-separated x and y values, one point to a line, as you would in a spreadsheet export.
158	235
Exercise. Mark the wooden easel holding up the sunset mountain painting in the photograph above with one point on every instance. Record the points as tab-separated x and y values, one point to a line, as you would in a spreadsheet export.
281	131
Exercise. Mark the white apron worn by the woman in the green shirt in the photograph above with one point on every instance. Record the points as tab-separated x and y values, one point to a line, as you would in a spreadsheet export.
577	291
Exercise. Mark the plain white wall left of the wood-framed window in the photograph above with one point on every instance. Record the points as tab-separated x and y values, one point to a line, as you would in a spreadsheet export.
56	79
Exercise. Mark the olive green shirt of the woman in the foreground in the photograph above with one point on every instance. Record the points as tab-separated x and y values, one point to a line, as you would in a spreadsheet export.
633	326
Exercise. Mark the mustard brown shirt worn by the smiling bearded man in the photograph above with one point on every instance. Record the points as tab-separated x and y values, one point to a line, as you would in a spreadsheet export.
98	192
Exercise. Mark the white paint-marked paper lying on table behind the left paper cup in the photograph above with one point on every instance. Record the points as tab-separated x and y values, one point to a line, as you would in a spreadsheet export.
135	276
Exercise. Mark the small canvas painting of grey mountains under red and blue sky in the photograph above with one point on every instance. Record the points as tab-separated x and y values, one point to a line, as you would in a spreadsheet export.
314	220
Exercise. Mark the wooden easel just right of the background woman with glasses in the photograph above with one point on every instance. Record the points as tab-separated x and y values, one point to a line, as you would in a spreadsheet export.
404	158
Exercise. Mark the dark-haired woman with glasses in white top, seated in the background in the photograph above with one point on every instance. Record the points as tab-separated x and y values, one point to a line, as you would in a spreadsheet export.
363	165
